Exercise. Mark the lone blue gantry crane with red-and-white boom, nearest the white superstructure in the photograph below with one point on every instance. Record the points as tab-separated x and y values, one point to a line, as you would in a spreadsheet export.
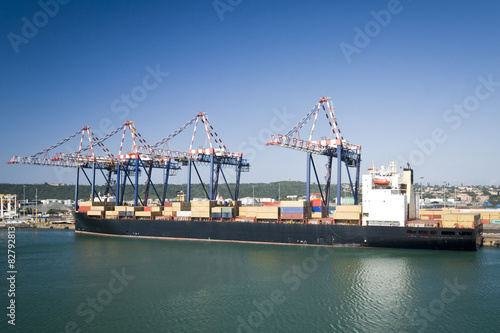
338	147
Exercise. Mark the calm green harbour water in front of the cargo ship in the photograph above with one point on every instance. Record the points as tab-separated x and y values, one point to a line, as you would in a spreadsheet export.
80	283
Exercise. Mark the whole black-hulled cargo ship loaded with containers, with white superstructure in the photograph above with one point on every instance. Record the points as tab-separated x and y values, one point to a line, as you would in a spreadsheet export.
389	217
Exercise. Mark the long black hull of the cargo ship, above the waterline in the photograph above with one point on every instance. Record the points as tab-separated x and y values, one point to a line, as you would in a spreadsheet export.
283	233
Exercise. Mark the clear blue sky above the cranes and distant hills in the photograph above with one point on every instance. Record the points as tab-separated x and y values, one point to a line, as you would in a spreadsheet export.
411	81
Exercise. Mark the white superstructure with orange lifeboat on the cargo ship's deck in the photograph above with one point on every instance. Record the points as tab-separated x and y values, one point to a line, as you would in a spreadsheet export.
389	198
